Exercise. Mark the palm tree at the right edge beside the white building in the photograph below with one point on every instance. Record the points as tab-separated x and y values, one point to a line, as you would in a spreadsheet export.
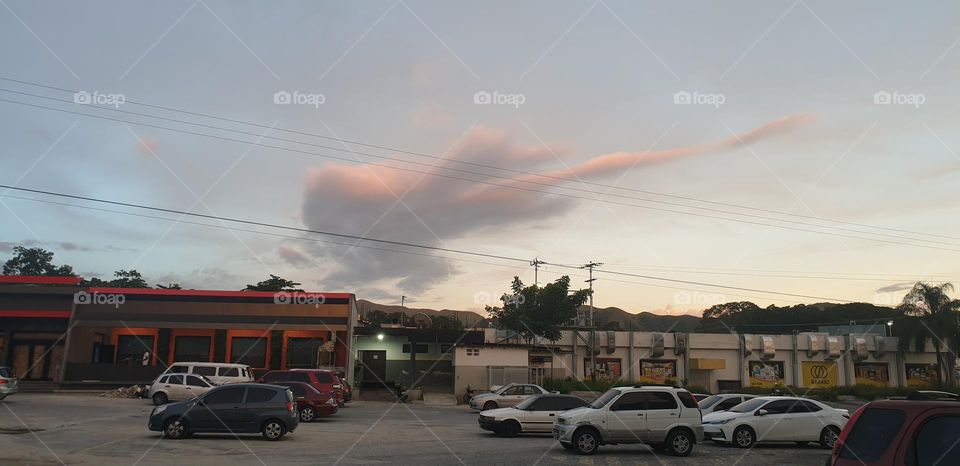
930	313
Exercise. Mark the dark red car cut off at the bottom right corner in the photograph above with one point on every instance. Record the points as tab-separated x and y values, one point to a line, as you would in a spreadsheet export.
894	432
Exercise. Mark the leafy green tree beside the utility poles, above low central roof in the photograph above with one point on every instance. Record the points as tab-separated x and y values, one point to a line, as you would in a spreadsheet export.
538	312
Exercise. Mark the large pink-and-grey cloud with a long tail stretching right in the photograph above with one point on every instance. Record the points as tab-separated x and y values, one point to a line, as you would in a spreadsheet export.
363	199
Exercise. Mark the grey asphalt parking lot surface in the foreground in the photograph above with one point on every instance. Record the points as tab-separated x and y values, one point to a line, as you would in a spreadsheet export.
44	429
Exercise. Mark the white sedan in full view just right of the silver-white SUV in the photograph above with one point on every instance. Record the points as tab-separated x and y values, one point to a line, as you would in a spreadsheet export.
776	419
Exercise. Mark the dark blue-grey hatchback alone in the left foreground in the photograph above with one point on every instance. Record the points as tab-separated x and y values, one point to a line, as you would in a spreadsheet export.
235	408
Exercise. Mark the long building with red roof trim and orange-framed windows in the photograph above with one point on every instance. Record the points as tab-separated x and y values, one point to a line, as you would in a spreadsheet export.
53	330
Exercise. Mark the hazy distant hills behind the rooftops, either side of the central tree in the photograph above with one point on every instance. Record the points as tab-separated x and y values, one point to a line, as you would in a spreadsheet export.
644	321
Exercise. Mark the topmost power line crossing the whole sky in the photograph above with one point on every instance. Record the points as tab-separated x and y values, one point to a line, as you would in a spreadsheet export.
444	159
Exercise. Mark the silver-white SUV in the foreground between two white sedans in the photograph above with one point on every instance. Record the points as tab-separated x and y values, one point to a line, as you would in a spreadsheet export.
667	418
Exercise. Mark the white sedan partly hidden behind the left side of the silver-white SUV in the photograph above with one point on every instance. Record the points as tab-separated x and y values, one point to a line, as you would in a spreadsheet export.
535	414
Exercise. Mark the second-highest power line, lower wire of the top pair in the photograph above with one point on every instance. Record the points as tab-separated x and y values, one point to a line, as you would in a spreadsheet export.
509	186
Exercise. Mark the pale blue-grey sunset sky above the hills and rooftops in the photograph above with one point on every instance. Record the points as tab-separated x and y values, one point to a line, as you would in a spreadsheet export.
702	152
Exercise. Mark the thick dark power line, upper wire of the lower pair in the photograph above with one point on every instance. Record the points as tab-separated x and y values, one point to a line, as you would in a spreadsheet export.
391	242
